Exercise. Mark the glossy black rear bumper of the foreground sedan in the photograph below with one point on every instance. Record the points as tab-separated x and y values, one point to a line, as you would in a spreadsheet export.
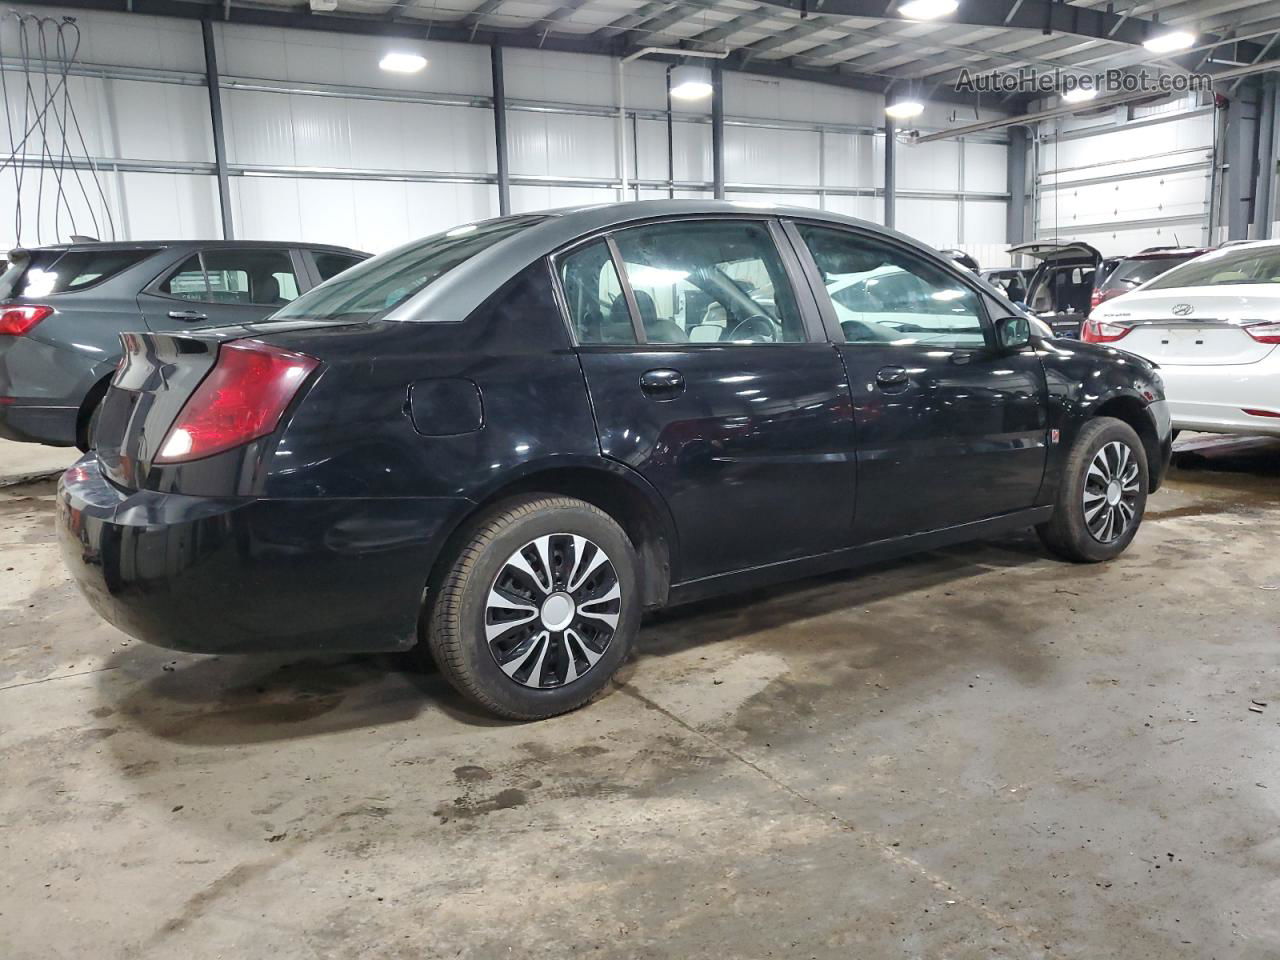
212	575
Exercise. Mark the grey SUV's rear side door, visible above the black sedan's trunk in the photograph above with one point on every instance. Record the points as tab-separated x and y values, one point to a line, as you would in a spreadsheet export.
223	286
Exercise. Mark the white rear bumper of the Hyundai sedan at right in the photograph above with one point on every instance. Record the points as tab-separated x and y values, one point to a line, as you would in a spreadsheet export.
1215	399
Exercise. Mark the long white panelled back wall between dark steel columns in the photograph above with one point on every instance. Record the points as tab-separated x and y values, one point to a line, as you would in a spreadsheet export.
326	147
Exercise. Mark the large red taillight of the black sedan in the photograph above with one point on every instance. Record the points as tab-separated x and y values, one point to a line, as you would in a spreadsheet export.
241	400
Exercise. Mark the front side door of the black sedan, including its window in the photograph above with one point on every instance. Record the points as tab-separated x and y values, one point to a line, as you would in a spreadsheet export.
949	429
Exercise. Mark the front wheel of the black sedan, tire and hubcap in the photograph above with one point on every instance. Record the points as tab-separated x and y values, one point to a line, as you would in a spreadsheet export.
1068	533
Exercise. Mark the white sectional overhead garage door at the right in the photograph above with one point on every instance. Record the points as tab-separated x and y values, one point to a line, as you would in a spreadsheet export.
1130	179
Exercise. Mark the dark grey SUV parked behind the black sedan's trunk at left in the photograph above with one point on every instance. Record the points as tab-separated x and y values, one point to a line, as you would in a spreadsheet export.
65	308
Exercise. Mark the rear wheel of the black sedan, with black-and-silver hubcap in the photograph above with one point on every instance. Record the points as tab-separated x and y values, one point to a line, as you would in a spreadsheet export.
564	678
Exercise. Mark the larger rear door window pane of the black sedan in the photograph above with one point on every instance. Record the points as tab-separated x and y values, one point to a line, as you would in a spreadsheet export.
710	282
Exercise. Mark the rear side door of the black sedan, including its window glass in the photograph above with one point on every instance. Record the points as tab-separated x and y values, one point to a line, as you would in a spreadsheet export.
711	378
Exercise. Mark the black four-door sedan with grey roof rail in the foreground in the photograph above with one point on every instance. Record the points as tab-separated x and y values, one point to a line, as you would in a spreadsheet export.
504	444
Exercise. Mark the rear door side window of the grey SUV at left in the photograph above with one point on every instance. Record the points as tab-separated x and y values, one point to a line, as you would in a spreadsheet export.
245	277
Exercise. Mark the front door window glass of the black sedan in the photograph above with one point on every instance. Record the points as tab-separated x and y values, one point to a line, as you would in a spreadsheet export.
885	295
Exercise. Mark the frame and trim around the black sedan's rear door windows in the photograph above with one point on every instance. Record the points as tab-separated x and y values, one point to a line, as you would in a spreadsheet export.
792	269
